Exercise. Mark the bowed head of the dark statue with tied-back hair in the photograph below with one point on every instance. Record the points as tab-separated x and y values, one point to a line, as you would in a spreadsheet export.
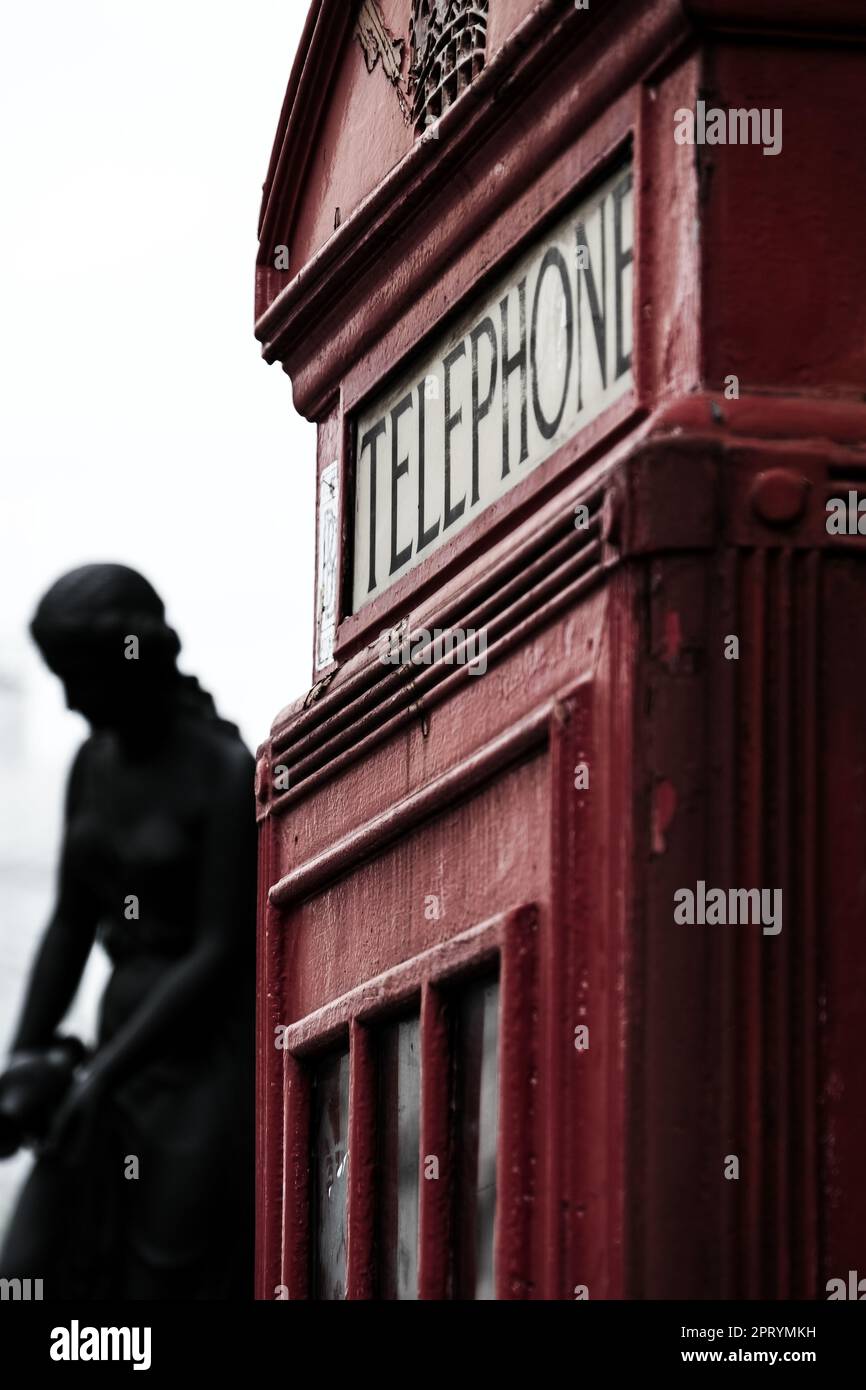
102	630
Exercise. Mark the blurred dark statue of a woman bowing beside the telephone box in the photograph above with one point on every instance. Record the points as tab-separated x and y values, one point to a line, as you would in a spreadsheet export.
142	1188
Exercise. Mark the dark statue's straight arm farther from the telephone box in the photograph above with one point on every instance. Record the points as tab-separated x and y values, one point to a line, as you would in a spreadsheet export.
66	943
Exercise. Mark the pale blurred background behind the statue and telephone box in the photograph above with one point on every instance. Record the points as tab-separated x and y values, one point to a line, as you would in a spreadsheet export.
138	422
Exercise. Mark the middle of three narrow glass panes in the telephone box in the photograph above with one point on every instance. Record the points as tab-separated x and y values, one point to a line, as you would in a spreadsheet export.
400	1138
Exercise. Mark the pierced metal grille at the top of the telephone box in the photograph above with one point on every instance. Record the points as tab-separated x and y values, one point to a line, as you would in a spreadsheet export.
448	48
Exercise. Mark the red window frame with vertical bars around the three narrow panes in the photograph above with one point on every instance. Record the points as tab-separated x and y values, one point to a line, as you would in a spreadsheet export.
507	942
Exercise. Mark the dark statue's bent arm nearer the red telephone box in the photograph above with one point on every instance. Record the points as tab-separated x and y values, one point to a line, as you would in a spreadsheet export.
227	885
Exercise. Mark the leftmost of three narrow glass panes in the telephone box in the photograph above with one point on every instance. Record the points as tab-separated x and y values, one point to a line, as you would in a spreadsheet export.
330	1177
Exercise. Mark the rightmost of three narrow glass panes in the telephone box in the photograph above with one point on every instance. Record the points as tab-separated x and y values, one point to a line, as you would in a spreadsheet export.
477	1118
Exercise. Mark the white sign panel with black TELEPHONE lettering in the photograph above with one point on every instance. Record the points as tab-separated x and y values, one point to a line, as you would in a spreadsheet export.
529	366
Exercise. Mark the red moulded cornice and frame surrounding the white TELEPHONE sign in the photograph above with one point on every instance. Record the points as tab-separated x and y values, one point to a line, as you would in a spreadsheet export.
454	231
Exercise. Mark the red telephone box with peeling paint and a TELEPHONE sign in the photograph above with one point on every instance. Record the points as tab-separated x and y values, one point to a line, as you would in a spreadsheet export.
561	856
